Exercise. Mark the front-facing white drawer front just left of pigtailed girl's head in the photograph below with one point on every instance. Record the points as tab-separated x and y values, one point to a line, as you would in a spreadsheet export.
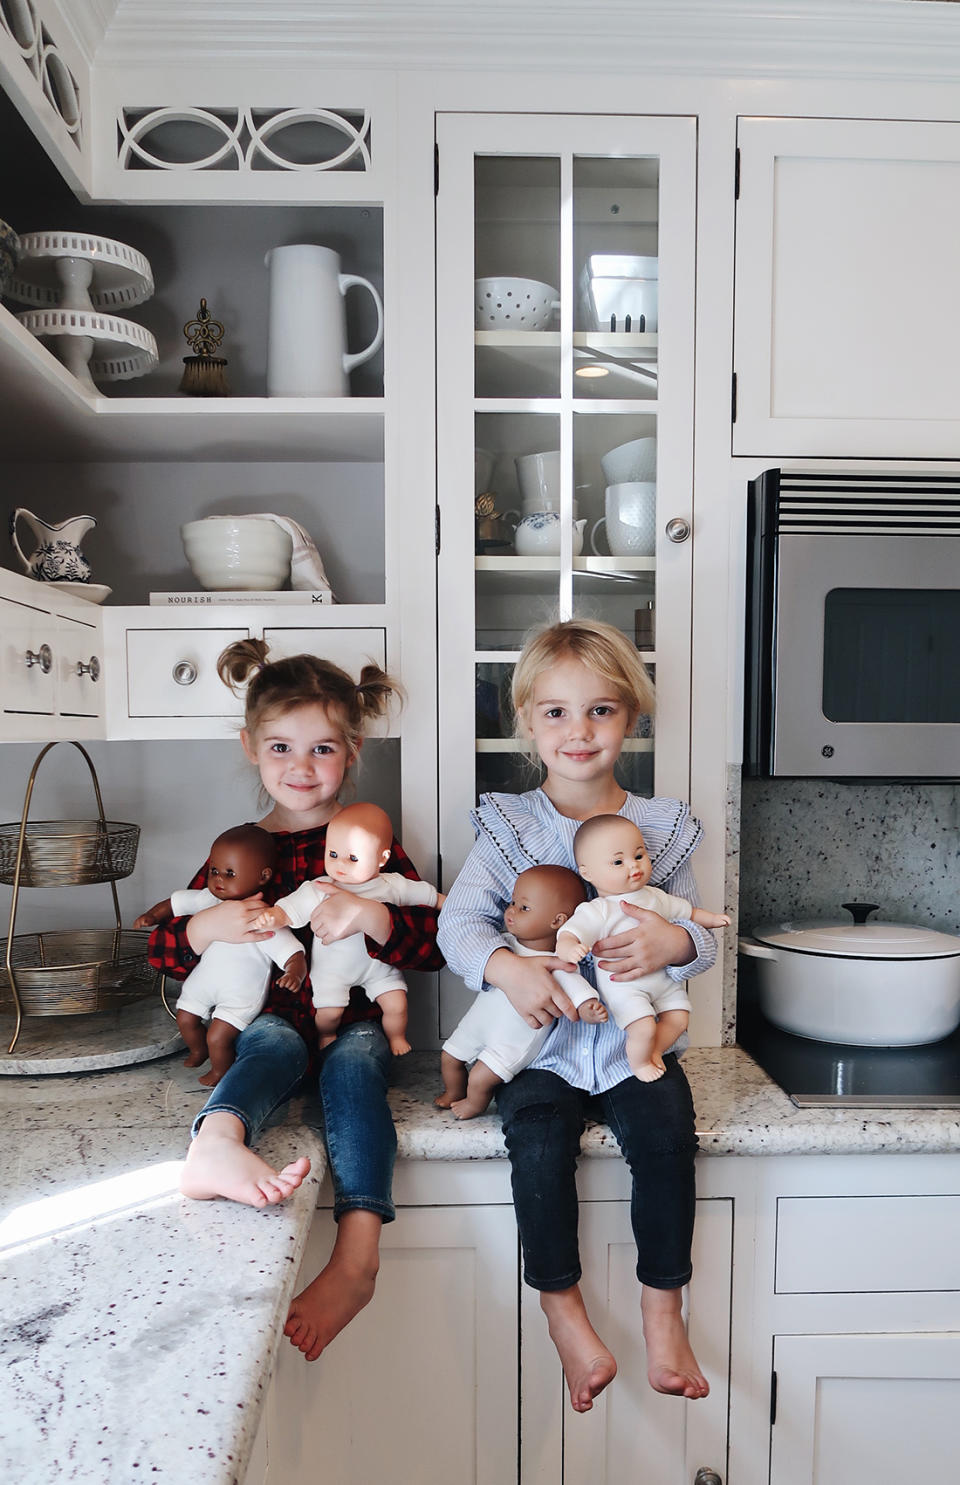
173	673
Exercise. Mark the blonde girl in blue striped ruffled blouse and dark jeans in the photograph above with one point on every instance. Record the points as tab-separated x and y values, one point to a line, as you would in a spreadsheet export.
579	691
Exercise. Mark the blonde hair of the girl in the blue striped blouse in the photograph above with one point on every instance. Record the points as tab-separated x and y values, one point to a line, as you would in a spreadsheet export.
601	648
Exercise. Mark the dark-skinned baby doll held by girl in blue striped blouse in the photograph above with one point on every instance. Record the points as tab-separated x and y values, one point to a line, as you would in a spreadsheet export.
493	1031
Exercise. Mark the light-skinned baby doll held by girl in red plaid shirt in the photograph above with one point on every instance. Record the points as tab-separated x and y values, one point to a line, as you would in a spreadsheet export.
359	844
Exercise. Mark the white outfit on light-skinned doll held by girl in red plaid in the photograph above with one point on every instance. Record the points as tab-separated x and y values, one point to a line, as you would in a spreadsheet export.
335	967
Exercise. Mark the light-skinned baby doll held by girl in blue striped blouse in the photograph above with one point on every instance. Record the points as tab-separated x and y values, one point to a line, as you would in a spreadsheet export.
655	1011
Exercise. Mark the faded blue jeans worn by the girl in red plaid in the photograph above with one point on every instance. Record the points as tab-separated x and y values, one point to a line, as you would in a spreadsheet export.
359	1129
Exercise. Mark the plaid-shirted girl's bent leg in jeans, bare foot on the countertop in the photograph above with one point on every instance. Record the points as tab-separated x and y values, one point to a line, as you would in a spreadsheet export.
271	1061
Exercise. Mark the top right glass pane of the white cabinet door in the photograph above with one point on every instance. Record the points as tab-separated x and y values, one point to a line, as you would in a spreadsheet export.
616	277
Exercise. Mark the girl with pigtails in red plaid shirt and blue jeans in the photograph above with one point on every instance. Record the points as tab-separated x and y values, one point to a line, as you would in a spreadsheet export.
304	728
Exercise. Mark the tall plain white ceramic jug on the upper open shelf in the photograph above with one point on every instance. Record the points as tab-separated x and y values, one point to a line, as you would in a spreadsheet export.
307	336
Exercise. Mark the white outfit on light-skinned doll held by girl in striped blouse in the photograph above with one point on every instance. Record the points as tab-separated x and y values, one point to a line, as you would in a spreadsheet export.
650	996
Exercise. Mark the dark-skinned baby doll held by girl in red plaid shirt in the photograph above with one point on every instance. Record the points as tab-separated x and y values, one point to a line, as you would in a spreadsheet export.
228	988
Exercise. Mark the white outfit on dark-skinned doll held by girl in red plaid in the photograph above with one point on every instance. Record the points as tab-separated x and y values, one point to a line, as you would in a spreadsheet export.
233	979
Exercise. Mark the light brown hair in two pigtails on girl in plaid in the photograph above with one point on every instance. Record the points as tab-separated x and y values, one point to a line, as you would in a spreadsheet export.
277	687
